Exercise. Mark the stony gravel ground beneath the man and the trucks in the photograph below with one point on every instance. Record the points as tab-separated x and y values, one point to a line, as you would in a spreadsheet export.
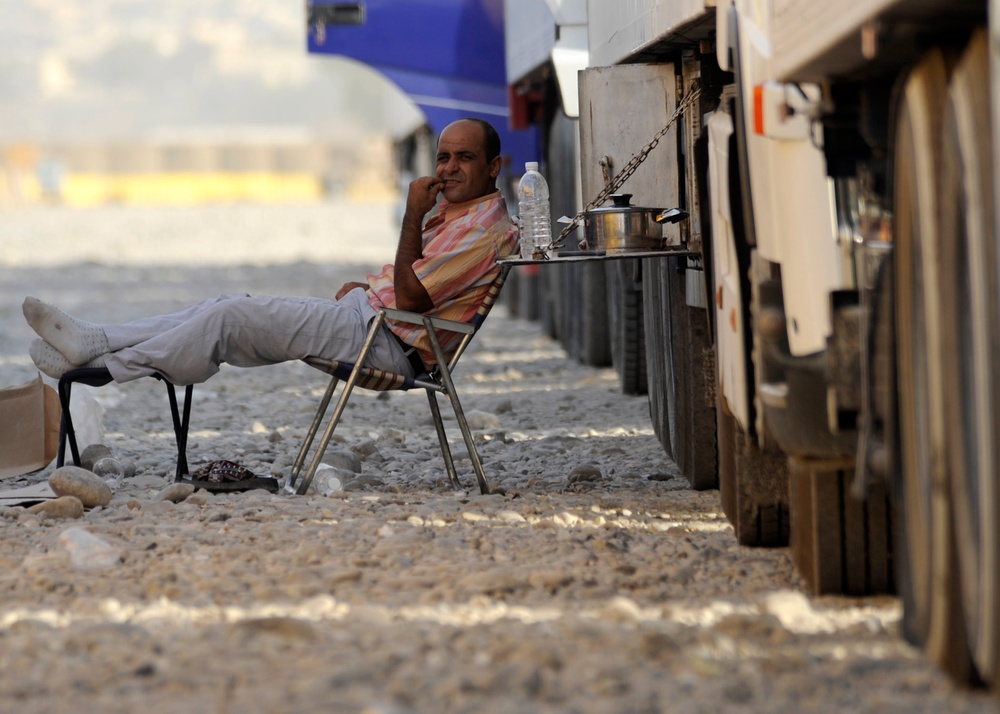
598	582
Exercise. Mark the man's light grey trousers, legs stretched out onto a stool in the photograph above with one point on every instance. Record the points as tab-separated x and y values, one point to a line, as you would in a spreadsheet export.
188	346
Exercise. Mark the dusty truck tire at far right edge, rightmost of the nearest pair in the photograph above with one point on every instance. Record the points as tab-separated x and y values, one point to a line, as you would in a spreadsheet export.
970	285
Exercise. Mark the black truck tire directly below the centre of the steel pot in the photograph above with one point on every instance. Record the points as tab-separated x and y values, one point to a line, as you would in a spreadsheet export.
625	322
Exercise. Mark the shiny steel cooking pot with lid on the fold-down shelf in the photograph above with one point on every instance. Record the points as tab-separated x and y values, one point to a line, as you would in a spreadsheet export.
623	227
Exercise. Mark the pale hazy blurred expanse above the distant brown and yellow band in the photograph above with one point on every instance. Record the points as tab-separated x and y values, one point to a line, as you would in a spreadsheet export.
106	69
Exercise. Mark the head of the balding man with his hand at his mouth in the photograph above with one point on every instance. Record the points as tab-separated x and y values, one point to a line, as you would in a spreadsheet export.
462	165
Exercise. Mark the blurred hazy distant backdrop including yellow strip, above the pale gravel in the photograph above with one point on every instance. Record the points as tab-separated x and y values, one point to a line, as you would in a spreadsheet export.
186	102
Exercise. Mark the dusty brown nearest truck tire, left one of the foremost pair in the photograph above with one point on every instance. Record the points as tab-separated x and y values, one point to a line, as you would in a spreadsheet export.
928	582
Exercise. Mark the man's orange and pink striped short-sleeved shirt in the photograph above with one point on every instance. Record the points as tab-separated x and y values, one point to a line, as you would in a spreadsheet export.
461	245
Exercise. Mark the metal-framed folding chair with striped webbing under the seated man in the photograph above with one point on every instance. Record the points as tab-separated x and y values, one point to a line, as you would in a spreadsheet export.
437	380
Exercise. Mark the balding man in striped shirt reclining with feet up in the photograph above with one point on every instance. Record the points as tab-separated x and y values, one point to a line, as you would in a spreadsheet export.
443	268
